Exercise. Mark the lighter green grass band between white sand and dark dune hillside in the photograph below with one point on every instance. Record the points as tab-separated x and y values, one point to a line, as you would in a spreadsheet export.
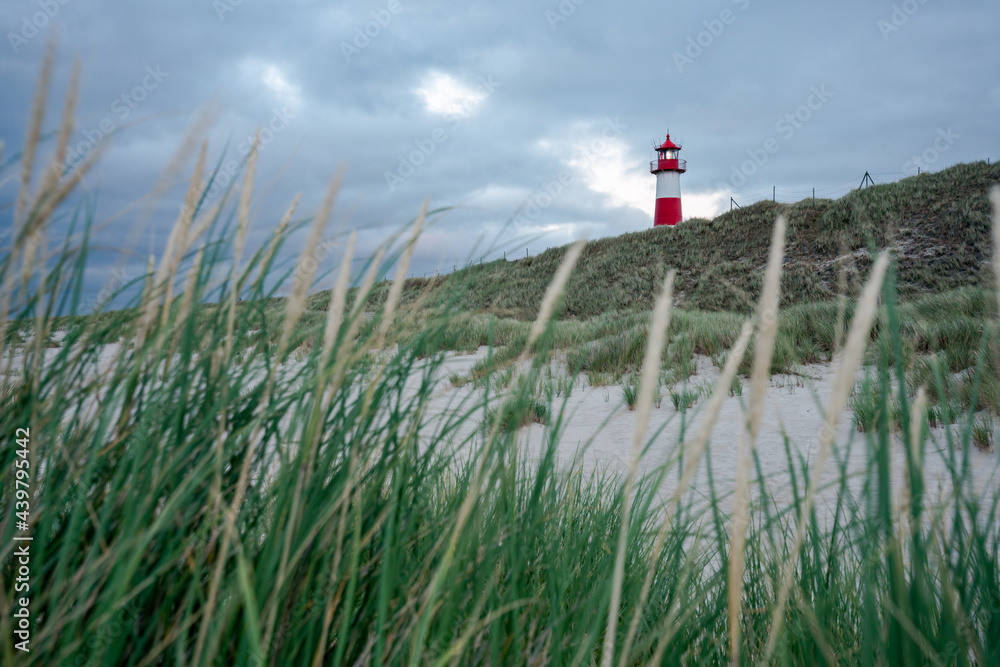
941	338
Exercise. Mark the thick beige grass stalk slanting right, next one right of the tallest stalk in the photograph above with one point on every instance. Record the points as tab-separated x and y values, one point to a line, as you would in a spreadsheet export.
854	349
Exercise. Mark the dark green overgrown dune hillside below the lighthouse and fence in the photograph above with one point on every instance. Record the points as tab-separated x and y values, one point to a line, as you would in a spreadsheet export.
936	225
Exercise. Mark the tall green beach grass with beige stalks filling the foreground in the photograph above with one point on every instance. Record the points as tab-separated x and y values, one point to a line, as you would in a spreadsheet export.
251	485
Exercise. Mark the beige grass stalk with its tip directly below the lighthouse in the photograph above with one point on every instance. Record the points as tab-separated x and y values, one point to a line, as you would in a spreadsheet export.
648	382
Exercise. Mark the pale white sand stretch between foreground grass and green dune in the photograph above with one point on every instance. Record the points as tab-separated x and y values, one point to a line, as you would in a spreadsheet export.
597	432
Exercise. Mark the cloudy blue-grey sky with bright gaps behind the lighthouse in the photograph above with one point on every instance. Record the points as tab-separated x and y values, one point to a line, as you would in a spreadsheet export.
534	119
